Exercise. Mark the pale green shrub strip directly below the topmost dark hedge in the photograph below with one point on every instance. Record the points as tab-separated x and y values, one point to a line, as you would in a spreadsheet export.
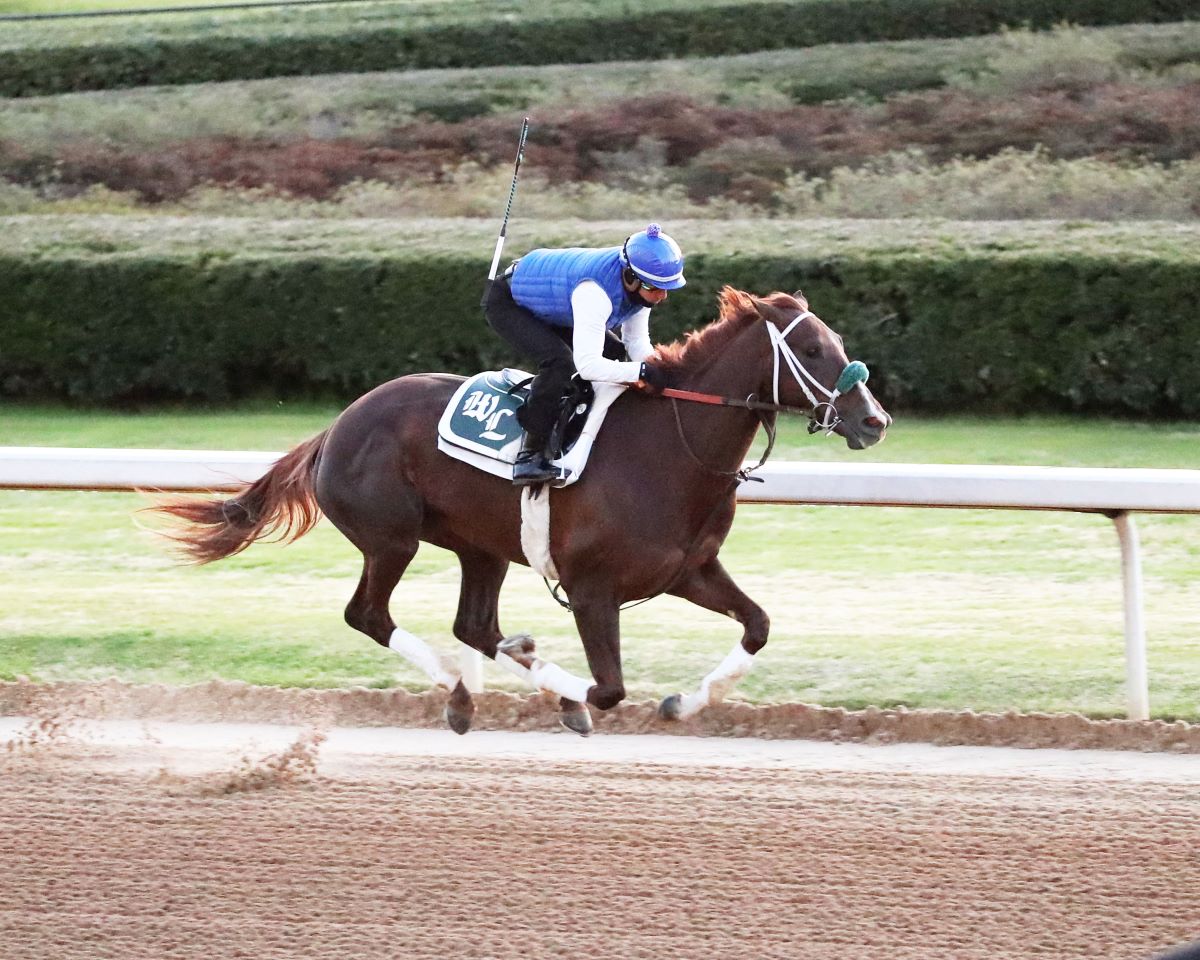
369	104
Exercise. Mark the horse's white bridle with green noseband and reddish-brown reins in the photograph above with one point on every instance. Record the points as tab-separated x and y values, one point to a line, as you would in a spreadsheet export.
823	416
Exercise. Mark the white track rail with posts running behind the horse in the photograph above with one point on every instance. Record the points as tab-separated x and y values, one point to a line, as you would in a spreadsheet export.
1115	494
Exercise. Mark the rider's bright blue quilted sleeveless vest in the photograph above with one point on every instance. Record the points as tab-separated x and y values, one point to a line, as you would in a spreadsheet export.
544	281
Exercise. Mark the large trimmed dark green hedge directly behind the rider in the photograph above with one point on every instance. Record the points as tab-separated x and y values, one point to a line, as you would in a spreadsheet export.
1000	317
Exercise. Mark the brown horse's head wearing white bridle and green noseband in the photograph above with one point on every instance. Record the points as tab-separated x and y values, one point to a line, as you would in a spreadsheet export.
809	369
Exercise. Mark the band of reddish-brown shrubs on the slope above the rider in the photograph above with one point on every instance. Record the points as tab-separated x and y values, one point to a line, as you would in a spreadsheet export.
715	151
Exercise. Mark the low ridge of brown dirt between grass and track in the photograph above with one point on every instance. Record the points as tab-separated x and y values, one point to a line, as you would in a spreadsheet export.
241	703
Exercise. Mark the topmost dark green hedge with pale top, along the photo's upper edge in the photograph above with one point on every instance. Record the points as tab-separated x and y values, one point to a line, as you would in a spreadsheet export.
51	59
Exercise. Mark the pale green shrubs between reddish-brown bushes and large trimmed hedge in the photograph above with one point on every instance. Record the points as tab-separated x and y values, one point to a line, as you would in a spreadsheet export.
1011	185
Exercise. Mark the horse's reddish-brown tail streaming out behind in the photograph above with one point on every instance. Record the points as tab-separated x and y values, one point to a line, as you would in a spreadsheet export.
281	502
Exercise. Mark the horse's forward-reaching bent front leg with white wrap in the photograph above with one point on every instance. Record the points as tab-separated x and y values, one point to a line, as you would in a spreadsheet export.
712	589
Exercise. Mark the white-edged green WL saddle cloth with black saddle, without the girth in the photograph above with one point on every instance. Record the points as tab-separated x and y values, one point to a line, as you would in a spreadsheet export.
482	424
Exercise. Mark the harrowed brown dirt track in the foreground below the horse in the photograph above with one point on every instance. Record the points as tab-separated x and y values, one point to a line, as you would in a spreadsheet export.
370	845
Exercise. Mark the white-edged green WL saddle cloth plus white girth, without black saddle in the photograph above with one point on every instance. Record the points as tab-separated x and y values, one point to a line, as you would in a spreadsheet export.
479	427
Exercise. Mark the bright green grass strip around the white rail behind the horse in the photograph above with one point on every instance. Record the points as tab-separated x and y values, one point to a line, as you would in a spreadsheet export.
989	610
